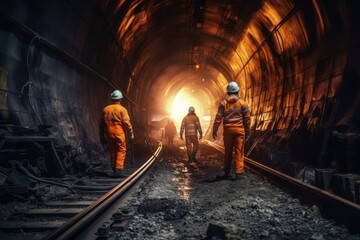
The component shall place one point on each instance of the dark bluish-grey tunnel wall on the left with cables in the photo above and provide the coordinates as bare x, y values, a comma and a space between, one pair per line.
59, 63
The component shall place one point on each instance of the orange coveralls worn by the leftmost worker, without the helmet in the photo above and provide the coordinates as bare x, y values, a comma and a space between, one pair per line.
117, 122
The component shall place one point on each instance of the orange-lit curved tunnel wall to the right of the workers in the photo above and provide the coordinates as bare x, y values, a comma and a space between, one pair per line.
303, 88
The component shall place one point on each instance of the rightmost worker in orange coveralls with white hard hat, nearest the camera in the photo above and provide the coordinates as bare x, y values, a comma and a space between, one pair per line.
234, 113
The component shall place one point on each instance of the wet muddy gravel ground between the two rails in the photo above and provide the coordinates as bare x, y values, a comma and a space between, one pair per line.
181, 201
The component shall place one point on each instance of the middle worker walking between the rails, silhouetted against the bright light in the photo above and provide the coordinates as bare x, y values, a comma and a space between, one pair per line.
191, 125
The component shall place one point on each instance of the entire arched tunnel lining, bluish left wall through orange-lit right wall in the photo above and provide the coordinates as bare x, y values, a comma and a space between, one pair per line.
296, 63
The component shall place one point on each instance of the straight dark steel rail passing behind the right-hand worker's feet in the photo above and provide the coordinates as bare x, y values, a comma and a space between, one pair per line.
331, 205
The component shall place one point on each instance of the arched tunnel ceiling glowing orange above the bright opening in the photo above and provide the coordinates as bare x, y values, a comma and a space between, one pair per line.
168, 40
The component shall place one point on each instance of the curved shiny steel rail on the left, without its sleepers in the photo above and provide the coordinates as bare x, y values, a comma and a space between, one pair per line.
80, 222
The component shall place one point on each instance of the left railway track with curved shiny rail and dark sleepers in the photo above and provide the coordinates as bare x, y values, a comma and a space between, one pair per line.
101, 209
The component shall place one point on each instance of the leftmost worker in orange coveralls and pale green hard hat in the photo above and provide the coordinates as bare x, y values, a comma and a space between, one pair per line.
115, 124
